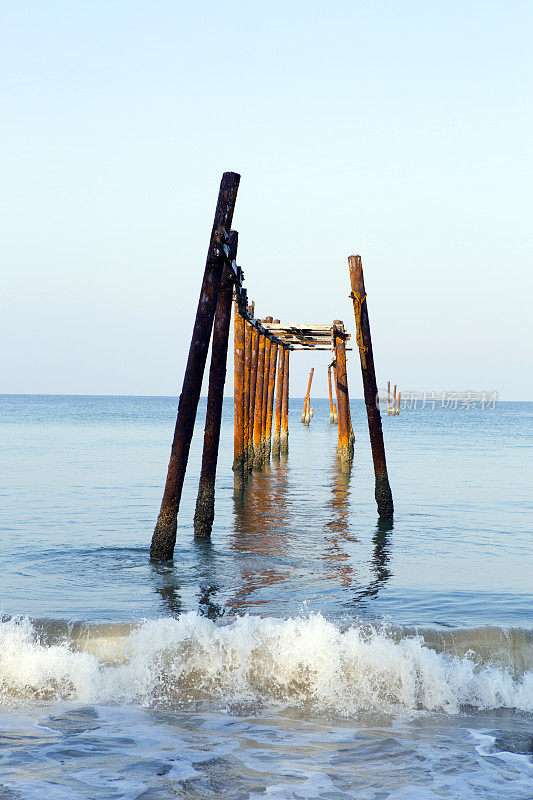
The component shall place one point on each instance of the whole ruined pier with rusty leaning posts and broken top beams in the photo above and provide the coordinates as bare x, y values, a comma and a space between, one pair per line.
261, 357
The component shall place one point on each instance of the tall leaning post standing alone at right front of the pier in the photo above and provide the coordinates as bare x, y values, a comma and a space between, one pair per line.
383, 491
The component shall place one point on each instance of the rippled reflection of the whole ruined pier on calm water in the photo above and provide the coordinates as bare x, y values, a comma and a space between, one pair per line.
290, 549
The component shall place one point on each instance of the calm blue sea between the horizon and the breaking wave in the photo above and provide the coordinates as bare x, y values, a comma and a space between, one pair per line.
304, 538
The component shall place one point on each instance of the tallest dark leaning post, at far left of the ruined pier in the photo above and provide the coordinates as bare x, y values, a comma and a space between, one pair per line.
164, 537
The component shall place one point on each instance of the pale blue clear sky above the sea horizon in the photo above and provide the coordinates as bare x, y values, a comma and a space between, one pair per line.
398, 130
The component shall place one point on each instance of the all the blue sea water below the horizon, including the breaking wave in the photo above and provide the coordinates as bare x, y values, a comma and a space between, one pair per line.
306, 651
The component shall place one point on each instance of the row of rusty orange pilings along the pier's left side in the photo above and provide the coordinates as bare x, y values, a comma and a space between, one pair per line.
261, 398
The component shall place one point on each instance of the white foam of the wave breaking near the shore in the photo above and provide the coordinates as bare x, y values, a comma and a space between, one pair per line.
302, 662
